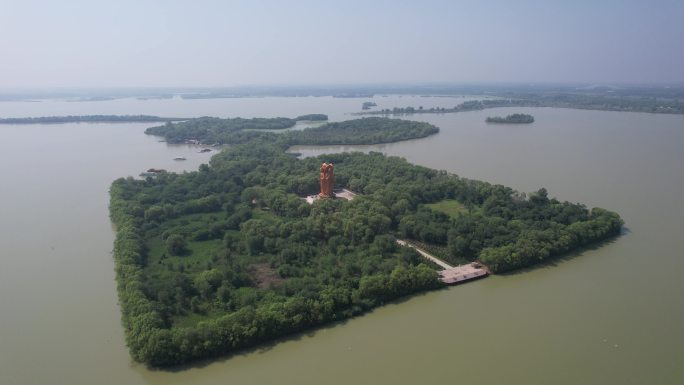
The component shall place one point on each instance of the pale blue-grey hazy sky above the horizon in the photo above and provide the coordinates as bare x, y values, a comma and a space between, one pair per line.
225, 43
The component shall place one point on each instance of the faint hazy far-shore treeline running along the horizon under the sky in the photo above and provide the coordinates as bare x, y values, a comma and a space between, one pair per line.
655, 93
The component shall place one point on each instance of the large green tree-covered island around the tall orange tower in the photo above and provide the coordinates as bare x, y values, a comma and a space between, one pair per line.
233, 254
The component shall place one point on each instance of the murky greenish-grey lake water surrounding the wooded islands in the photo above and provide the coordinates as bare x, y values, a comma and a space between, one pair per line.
608, 315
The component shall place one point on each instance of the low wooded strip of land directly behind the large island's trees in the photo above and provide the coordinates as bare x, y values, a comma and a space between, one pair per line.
372, 130
